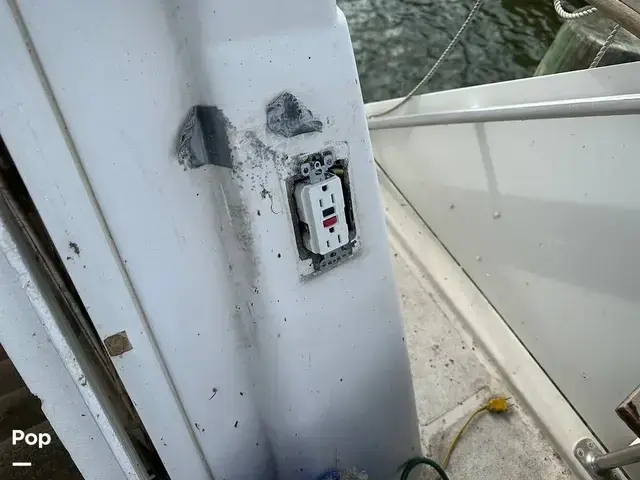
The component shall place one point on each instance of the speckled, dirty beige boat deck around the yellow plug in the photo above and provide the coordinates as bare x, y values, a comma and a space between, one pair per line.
453, 376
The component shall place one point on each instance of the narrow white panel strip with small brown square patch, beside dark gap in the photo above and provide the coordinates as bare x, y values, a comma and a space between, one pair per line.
36, 142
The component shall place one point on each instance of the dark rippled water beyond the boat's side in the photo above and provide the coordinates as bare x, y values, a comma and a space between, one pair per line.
397, 41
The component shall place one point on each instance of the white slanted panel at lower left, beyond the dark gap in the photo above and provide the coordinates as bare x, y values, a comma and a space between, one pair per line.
40, 344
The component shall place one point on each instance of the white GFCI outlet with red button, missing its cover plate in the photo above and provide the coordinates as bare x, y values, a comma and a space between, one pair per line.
321, 208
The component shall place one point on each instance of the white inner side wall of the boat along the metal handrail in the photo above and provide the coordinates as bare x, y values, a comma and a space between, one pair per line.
544, 216
